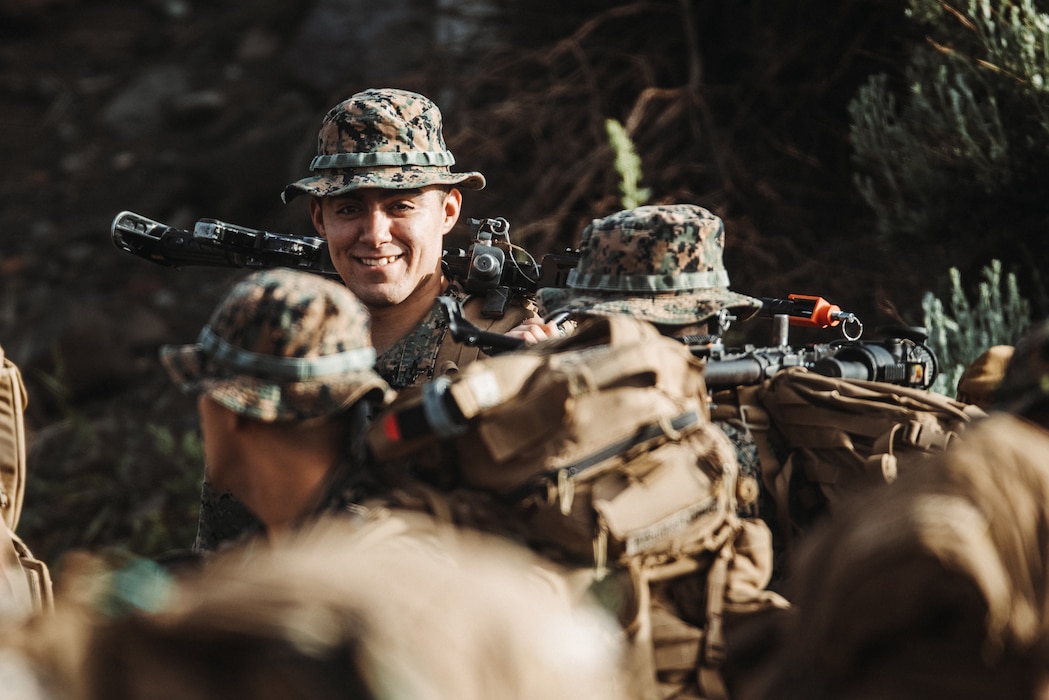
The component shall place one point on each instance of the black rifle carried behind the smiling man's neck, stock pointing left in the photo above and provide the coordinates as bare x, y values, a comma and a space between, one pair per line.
491, 265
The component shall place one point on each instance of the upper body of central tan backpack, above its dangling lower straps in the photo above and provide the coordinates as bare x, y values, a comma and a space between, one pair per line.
576, 433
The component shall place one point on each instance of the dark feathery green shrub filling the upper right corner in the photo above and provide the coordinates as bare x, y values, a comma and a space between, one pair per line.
960, 142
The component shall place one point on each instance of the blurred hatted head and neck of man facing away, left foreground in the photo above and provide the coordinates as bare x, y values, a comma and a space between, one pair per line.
285, 384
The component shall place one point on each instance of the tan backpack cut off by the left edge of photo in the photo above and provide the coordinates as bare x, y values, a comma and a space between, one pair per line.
28, 582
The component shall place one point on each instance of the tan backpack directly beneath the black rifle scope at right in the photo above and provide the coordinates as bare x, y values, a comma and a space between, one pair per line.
822, 439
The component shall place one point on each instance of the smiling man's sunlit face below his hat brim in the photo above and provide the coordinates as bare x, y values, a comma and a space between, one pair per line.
388, 244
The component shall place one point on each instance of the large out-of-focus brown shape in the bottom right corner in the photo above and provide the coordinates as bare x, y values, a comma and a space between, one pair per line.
933, 587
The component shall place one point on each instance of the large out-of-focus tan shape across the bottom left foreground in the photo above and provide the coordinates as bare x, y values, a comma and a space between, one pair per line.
399, 608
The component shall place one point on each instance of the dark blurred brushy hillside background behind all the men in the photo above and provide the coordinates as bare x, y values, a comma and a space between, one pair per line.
876, 153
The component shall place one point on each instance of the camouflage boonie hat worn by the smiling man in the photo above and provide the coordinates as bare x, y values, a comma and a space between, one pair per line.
382, 138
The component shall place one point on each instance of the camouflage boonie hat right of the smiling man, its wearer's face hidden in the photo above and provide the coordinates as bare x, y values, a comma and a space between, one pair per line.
660, 264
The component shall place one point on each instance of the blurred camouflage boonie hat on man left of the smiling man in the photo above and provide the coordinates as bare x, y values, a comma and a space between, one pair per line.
283, 346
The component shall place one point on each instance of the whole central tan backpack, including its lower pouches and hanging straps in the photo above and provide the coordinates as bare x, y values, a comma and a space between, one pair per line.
597, 451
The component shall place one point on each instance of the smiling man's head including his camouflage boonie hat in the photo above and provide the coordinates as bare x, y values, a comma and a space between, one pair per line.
383, 194
